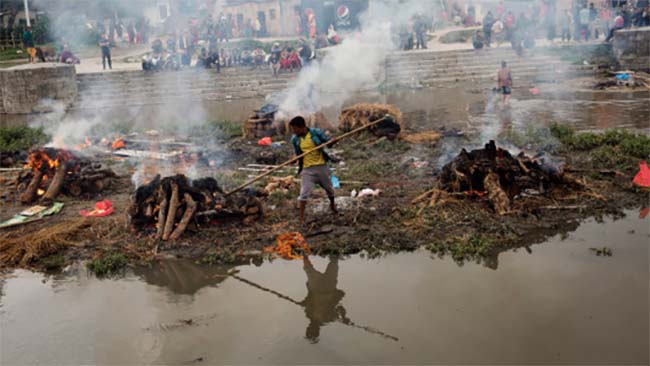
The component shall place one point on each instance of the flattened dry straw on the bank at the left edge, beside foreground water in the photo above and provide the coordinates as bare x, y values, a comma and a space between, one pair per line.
25, 248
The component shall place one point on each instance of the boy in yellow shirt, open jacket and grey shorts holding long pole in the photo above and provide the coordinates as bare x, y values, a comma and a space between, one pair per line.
313, 167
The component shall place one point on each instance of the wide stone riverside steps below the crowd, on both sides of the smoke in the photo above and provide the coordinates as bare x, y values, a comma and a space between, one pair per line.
425, 68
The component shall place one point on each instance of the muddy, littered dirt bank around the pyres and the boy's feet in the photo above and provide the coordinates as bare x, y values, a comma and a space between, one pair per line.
465, 228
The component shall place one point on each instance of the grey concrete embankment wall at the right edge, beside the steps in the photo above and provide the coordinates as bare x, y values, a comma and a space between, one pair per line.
632, 48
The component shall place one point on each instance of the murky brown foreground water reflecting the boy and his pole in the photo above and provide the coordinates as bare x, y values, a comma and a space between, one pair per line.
561, 303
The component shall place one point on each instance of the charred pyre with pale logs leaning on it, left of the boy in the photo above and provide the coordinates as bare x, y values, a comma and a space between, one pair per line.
175, 204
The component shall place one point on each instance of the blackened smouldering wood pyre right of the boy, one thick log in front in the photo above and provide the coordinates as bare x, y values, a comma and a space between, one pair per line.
492, 173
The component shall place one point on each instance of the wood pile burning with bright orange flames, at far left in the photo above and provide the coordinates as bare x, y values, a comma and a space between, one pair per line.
57, 171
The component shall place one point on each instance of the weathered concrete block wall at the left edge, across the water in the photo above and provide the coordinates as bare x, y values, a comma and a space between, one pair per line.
37, 88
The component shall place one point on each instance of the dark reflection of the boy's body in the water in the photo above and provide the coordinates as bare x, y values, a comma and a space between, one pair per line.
322, 301
